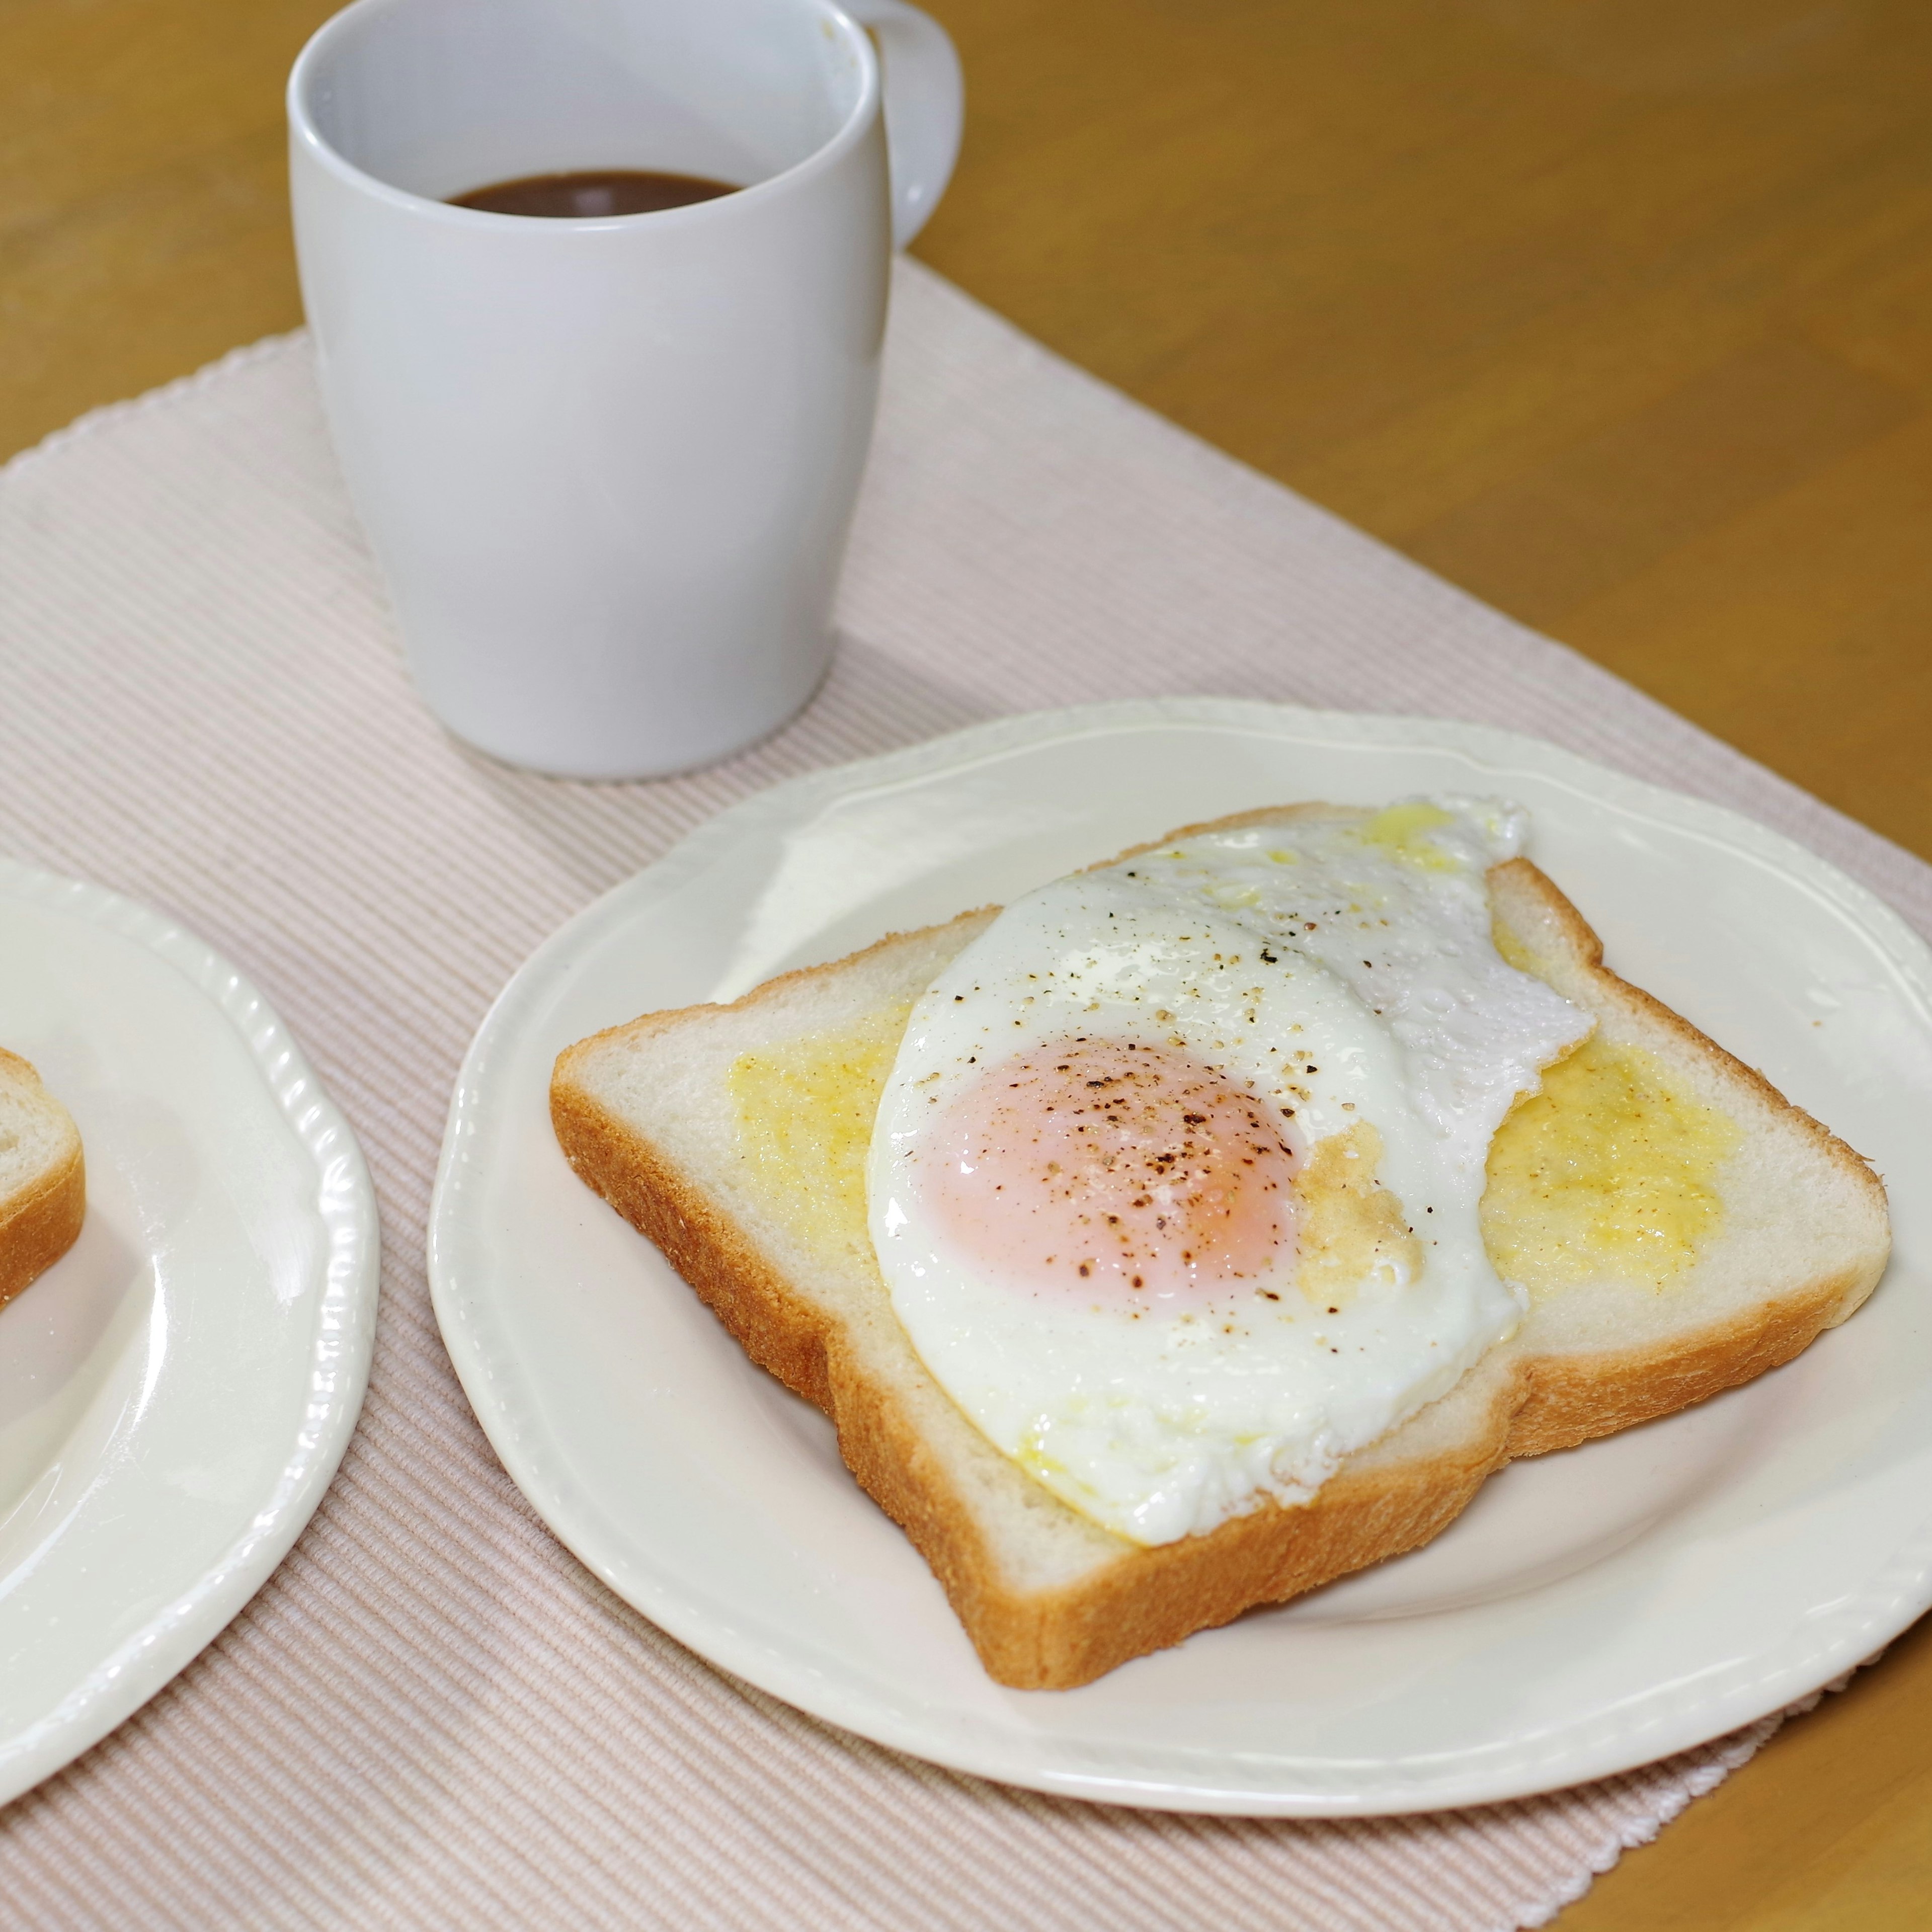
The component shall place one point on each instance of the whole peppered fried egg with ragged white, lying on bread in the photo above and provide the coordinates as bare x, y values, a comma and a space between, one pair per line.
1176, 1178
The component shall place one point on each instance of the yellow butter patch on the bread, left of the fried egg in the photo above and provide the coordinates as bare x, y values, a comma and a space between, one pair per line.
805, 1120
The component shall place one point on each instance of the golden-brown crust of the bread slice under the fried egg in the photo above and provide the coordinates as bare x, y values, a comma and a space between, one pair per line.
1378, 1506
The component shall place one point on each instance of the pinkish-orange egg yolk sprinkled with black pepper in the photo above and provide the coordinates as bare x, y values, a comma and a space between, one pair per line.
1110, 1168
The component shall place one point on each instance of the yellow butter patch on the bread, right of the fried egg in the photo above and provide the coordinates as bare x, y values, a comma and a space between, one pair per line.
1610, 1174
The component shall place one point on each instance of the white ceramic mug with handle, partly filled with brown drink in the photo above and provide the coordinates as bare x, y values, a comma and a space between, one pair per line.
608, 467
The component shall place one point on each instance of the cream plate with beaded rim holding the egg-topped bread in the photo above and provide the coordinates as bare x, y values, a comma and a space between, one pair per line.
1591, 1612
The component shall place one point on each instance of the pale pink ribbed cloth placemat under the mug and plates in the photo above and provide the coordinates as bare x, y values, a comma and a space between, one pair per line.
434, 1717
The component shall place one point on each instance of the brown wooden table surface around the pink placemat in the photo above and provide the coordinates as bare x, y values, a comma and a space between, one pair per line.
1614, 312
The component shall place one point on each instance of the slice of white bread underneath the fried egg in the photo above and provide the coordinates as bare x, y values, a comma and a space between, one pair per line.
654, 1118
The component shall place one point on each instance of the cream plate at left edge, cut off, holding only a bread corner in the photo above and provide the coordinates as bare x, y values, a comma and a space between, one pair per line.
179, 1388
